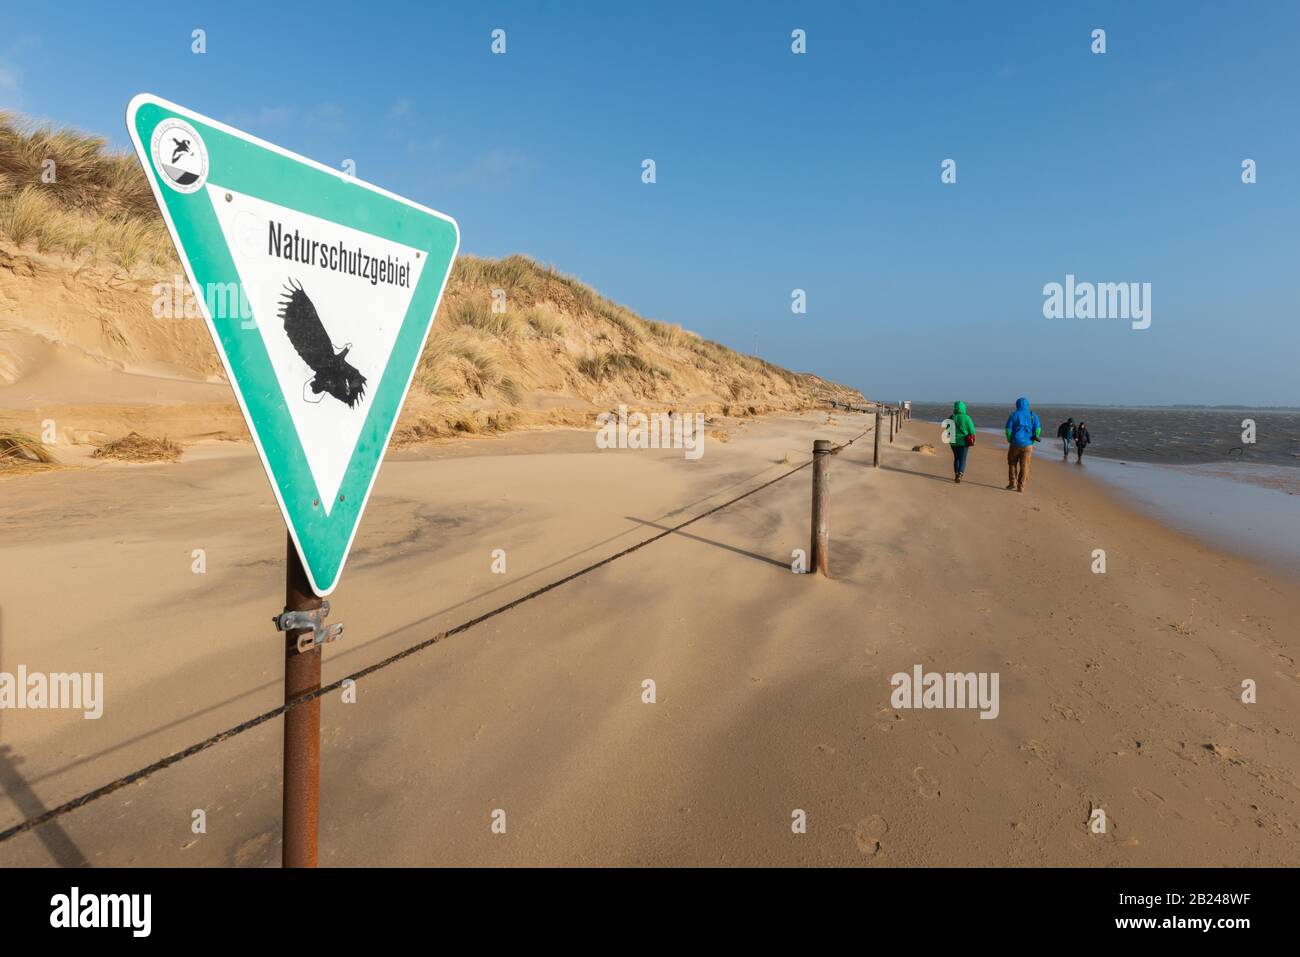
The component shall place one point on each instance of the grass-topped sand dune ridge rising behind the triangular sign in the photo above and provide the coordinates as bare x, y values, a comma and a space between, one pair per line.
101, 335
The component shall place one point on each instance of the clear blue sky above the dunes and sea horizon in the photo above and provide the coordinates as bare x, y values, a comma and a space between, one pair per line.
779, 172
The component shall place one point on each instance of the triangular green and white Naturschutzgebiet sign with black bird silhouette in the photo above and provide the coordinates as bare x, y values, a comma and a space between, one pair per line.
319, 292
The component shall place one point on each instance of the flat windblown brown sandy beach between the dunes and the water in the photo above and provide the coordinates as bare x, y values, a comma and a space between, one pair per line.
773, 691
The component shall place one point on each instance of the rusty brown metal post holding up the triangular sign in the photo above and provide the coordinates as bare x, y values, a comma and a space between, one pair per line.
302, 725
